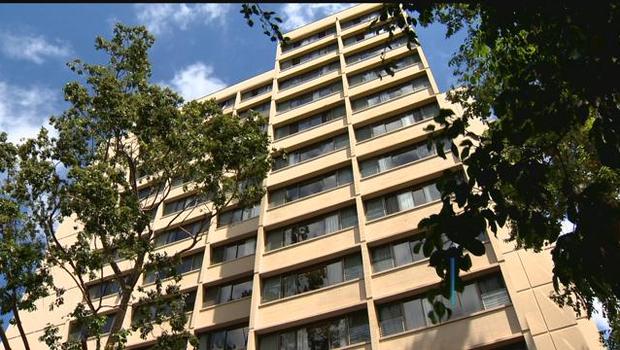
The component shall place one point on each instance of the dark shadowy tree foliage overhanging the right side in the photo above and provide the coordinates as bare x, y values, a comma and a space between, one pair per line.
542, 77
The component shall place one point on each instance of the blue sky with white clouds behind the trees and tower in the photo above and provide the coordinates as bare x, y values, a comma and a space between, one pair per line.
200, 48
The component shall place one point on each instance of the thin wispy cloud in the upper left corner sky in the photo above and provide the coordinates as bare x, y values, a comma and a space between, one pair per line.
32, 47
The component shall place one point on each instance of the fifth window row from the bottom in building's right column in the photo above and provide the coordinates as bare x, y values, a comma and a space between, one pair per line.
388, 125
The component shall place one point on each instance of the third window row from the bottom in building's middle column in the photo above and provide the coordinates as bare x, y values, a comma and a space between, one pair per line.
318, 226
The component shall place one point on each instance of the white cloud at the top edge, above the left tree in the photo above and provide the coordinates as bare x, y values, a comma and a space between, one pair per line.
160, 18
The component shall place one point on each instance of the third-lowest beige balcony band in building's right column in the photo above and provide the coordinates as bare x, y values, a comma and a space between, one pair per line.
399, 222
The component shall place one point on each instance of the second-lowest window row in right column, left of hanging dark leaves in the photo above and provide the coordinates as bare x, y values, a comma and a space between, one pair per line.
395, 254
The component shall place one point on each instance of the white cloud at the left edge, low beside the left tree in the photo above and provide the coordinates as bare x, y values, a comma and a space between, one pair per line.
24, 110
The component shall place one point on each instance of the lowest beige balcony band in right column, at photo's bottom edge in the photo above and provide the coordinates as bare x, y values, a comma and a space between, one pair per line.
481, 328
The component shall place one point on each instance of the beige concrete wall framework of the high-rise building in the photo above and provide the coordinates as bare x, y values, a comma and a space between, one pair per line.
530, 318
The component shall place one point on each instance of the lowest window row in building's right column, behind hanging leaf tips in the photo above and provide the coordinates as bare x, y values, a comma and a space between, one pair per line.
397, 317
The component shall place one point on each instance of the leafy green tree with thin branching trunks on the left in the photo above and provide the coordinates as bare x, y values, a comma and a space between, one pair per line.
120, 132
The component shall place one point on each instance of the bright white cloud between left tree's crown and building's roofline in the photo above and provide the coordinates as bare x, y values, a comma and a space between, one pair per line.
195, 80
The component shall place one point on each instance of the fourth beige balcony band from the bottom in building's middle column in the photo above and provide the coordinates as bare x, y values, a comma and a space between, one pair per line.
288, 174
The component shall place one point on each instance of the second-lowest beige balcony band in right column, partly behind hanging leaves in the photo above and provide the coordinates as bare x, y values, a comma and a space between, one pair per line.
418, 274
